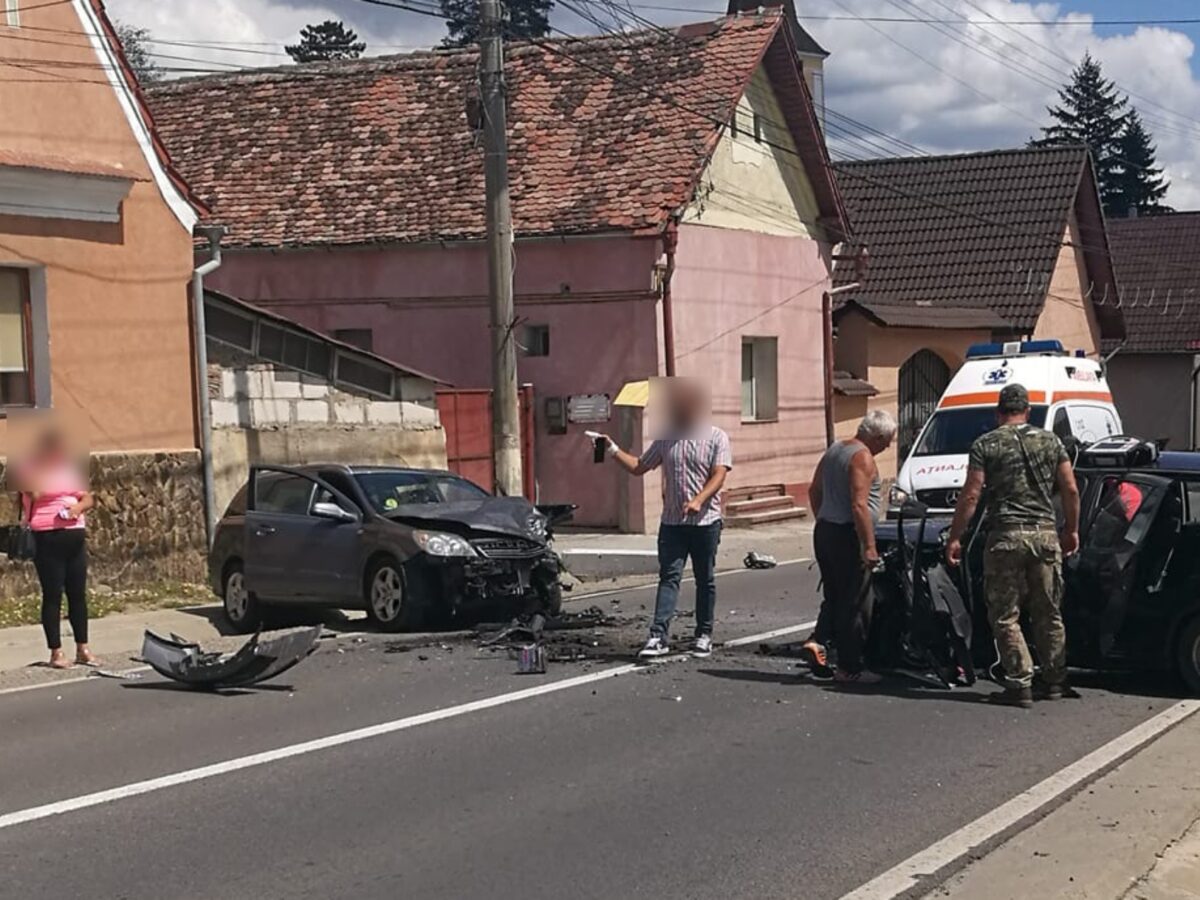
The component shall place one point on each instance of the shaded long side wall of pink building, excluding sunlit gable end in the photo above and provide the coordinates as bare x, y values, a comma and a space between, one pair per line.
428, 309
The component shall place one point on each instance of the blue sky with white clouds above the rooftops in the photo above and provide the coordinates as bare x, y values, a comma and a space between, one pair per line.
965, 83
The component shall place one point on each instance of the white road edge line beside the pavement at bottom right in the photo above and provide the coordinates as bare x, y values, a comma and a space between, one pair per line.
910, 874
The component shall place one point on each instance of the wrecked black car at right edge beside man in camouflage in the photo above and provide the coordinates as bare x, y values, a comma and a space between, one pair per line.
1133, 591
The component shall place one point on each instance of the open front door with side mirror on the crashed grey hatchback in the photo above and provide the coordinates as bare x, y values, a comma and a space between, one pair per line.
302, 537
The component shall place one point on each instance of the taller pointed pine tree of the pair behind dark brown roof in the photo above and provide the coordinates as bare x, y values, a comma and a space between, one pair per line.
1091, 112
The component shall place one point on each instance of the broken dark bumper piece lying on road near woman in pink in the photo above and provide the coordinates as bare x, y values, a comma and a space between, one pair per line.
257, 662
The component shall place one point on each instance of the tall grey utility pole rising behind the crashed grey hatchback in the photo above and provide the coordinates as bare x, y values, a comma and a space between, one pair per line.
506, 404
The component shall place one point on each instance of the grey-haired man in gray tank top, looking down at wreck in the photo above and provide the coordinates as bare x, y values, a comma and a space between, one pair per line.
845, 497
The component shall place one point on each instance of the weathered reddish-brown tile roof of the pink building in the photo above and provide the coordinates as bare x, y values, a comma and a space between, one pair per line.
607, 134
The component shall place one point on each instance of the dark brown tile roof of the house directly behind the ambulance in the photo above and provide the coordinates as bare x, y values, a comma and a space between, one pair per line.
975, 231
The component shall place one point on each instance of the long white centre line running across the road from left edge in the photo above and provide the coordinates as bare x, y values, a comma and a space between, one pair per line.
310, 747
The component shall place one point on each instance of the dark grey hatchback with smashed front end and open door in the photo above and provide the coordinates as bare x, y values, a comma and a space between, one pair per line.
411, 547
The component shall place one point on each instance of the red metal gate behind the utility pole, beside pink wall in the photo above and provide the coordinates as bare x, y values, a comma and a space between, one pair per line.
467, 419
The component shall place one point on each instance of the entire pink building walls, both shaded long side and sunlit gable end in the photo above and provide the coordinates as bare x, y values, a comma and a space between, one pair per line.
428, 309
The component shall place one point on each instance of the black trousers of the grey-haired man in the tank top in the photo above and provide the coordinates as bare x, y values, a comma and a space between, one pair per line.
847, 608
